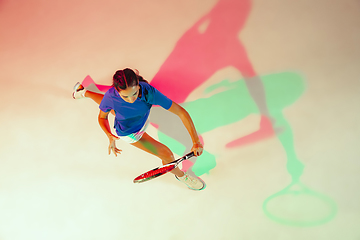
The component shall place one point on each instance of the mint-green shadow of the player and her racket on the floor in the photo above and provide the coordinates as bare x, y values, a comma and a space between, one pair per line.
303, 206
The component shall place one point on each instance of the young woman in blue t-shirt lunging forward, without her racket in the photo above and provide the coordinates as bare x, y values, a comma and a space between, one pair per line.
130, 99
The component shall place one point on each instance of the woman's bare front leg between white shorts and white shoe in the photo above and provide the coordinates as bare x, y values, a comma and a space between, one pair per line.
150, 145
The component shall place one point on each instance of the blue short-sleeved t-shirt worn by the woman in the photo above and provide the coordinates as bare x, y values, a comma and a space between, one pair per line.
131, 117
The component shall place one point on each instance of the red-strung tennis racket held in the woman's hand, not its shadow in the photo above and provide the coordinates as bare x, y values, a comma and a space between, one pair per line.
157, 172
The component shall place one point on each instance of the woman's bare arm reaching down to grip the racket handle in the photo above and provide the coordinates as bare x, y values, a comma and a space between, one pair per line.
188, 123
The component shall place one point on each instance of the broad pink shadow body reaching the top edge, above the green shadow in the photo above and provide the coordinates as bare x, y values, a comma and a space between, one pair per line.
209, 45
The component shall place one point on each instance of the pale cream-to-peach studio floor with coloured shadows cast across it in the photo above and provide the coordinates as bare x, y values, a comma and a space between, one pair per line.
58, 182
